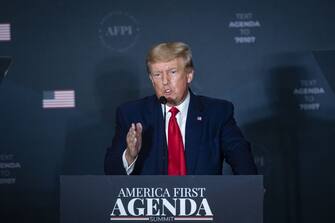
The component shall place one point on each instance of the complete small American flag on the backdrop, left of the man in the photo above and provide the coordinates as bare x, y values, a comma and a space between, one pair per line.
59, 99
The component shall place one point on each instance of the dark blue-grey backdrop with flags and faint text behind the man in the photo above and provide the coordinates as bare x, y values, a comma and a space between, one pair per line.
274, 59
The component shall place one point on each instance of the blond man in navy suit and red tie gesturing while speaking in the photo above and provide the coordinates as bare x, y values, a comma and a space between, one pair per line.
190, 135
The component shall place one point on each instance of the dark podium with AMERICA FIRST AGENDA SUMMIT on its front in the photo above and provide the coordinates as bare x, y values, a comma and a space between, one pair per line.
103, 199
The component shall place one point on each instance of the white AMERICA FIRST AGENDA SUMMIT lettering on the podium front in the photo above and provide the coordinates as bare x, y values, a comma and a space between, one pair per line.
162, 204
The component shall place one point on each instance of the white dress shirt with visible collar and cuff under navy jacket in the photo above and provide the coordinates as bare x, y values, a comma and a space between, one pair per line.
181, 117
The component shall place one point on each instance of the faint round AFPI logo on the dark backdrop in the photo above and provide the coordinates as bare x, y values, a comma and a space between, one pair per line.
118, 31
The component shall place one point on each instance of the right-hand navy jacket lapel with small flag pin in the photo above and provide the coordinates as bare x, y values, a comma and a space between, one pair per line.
193, 132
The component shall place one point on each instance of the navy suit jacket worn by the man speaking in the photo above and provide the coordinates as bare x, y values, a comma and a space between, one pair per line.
211, 135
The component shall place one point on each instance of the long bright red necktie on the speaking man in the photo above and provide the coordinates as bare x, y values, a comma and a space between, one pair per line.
176, 163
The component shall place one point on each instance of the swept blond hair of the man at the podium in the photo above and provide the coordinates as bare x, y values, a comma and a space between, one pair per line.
164, 52
